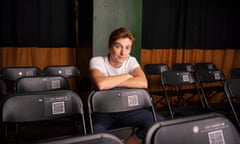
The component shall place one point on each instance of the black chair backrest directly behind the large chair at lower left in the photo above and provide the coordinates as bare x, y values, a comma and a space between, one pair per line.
40, 83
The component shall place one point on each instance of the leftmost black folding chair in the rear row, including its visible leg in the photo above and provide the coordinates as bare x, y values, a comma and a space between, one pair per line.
11, 74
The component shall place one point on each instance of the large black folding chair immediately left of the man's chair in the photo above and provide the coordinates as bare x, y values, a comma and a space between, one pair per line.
41, 115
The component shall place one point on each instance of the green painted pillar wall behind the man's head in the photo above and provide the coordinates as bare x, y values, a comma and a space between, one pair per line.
111, 14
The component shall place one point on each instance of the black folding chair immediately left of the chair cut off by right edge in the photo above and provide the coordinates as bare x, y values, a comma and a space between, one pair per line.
211, 83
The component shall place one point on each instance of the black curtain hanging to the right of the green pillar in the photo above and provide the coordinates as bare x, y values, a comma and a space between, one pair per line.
203, 24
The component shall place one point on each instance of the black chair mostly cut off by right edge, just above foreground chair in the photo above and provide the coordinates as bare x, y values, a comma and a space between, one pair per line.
232, 91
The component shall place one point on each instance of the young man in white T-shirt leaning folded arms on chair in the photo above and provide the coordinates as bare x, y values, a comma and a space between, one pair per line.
119, 69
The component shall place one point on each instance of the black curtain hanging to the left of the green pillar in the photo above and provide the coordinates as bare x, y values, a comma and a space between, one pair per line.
37, 23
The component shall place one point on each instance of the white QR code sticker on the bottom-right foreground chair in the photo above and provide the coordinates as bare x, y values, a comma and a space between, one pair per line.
216, 137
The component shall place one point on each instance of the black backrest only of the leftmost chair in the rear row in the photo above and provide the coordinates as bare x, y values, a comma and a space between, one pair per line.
13, 73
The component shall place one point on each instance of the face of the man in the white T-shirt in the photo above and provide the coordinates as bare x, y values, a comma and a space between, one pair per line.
120, 50
